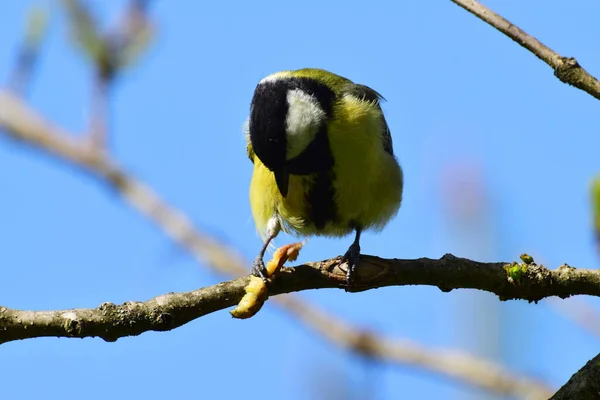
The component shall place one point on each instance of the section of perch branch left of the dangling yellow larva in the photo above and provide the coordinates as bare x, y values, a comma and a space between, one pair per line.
111, 322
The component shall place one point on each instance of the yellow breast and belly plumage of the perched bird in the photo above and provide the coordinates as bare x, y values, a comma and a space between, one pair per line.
367, 181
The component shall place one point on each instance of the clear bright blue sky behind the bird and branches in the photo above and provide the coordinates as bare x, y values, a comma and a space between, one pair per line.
476, 120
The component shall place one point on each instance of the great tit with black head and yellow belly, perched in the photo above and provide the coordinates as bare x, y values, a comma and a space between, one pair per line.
323, 160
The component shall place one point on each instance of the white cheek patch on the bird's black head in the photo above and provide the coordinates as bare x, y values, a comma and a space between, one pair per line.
304, 117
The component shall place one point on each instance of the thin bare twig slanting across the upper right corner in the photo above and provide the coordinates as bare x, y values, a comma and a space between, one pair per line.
567, 69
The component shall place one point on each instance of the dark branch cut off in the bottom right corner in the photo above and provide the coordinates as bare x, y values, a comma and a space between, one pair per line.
584, 384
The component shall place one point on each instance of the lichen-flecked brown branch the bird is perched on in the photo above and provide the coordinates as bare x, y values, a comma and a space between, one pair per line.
172, 310
